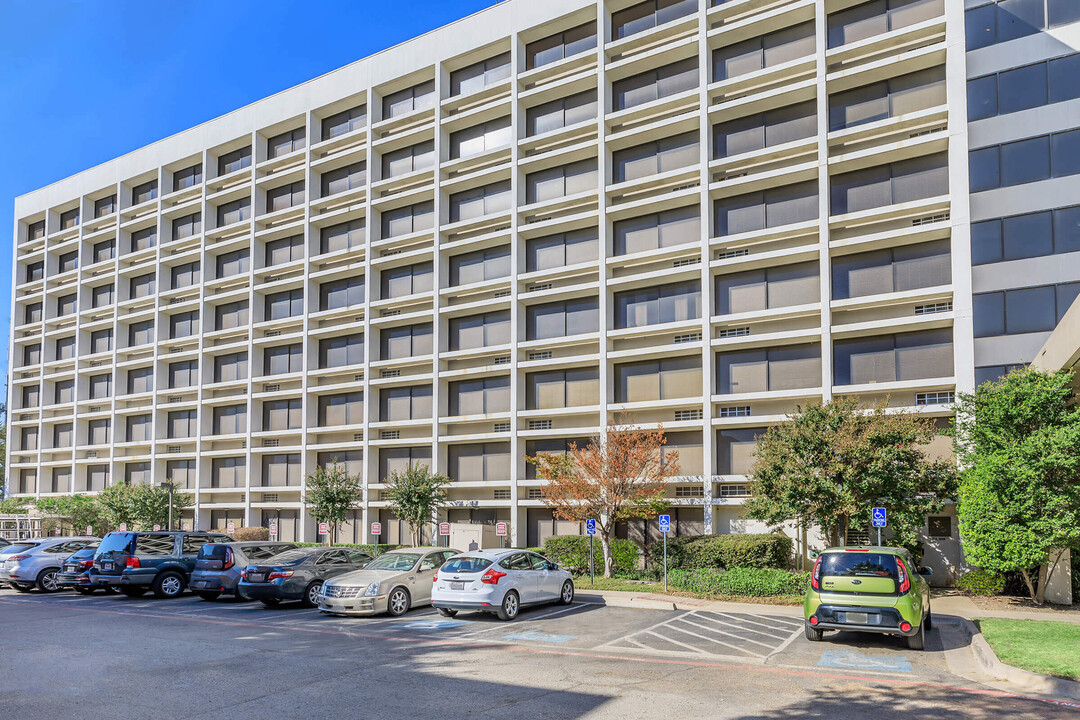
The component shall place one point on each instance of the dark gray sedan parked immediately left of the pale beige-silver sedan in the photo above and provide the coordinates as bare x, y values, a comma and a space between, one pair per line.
299, 575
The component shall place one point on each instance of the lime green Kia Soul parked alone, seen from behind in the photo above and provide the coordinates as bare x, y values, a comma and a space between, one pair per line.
869, 590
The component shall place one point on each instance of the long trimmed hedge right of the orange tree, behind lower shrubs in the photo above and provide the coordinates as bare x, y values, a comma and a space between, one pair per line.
720, 552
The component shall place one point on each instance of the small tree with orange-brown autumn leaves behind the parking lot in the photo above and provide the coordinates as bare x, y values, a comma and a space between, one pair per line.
618, 477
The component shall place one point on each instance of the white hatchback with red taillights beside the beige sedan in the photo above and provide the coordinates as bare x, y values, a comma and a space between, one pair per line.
499, 581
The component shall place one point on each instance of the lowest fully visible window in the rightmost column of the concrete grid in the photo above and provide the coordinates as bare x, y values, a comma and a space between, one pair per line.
894, 358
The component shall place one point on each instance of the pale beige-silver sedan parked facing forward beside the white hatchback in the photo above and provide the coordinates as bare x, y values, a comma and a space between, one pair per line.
394, 583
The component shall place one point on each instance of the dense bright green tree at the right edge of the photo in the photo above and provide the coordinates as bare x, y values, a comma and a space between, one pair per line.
1019, 502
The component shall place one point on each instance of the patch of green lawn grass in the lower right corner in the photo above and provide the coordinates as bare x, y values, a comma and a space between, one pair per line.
1047, 647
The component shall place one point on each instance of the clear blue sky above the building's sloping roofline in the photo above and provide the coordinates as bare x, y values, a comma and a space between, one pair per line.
83, 83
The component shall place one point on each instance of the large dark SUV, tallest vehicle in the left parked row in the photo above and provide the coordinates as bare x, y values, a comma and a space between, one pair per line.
139, 562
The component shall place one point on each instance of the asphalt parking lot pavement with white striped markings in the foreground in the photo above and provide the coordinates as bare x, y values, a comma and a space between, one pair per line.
111, 657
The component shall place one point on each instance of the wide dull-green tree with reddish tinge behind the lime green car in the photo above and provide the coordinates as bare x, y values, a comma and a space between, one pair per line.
832, 464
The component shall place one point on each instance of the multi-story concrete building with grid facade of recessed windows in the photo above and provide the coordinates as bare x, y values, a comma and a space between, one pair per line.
489, 241
